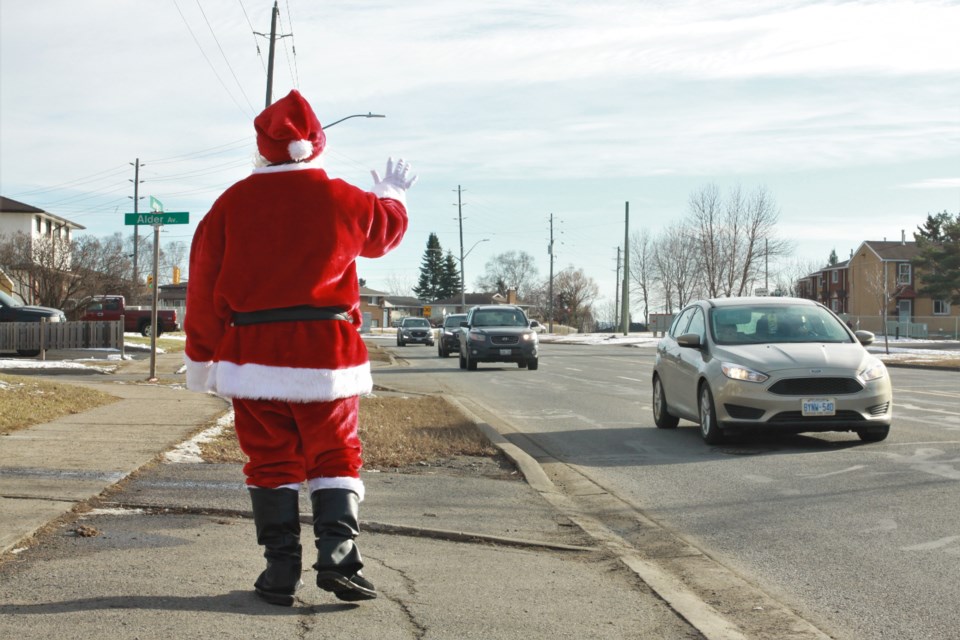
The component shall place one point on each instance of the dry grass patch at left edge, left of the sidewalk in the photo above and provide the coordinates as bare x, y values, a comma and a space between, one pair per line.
26, 401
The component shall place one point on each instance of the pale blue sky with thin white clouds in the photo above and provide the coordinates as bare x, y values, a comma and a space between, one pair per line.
848, 113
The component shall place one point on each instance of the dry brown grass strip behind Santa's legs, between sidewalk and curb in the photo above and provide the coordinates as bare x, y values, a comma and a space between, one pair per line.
396, 432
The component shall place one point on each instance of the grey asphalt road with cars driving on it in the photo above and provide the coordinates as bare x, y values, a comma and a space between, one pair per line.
861, 540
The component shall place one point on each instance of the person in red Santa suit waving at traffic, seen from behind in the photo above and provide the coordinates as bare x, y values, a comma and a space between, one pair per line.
273, 301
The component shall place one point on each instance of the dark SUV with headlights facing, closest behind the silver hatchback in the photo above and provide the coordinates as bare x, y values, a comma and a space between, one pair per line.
498, 333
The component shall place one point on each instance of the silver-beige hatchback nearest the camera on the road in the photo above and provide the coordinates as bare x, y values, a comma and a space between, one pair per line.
769, 364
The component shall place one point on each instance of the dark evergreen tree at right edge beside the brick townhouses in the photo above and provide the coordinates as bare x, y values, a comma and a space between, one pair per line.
939, 260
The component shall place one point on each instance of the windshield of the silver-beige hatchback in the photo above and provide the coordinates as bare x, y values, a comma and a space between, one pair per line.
776, 323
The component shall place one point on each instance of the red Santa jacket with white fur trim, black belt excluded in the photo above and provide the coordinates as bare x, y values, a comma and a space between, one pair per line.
286, 236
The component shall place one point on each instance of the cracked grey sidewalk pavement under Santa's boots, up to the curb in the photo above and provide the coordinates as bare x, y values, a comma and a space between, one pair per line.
169, 551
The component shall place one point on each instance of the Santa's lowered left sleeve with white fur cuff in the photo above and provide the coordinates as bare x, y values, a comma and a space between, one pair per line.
202, 325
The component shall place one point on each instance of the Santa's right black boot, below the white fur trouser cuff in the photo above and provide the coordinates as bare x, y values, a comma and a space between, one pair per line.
335, 523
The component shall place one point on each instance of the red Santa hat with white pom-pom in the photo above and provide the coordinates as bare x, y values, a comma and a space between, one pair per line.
288, 130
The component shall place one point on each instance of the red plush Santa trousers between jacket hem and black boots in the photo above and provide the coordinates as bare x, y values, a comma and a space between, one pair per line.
290, 442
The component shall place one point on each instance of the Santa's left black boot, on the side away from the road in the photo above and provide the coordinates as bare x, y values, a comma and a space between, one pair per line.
276, 512
